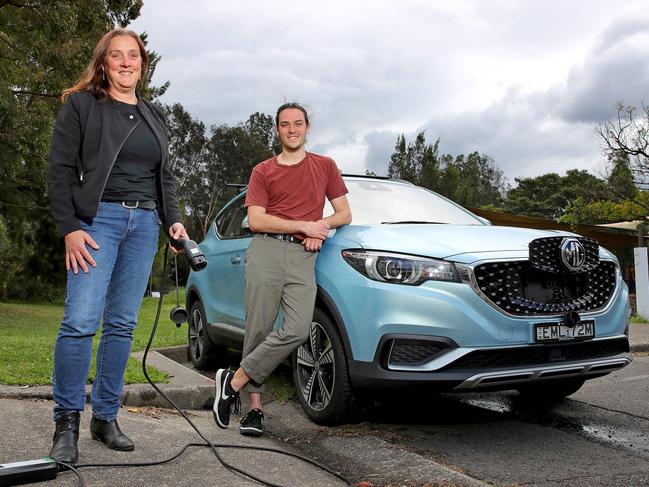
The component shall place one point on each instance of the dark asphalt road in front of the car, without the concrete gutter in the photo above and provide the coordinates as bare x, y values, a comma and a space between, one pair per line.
597, 437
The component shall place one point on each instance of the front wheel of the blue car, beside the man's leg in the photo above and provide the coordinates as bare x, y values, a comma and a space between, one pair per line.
321, 374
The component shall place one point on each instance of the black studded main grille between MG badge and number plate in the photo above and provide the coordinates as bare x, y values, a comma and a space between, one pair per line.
519, 288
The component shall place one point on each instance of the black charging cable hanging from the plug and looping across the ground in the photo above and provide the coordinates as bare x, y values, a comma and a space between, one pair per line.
208, 443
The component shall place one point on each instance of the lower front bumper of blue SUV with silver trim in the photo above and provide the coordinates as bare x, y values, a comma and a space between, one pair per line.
497, 368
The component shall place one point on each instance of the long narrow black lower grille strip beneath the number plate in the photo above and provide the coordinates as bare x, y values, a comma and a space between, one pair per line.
540, 354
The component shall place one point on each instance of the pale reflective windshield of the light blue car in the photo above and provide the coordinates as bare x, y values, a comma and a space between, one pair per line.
375, 201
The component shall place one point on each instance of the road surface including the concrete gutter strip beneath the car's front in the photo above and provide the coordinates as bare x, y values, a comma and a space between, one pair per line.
597, 437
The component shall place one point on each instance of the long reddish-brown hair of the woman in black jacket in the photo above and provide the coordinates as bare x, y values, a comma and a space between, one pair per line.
94, 78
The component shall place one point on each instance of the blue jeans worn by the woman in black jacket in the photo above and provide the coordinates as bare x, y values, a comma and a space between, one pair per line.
110, 293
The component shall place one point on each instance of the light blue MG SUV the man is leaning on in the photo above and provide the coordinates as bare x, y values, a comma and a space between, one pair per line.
418, 291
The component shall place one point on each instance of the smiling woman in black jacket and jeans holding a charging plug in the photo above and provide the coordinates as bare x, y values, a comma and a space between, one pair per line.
110, 188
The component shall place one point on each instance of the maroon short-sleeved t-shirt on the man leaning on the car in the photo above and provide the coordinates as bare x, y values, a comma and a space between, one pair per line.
295, 192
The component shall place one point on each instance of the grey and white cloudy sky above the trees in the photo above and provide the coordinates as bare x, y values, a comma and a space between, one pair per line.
522, 81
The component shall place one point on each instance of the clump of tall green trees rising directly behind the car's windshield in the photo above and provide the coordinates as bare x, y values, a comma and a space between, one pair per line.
472, 180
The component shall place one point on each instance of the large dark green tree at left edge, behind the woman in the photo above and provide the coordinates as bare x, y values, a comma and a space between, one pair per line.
44, 46
